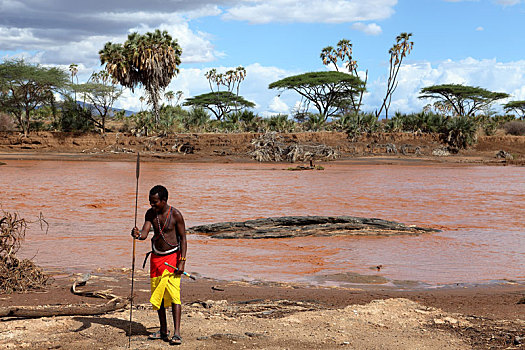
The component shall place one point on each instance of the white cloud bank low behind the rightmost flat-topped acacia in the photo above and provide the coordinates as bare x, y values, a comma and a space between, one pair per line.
487, 73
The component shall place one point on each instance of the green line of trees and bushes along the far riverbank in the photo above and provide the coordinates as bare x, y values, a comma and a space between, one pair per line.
35, 97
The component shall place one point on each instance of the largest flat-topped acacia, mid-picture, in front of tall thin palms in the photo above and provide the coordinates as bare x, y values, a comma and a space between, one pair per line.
325, 90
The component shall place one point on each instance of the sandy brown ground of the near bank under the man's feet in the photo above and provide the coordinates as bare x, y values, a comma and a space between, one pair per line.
242, 315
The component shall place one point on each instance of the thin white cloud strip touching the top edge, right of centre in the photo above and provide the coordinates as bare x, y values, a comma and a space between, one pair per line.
310, 11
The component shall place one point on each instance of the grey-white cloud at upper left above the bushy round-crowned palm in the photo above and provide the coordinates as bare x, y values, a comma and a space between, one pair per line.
62, 31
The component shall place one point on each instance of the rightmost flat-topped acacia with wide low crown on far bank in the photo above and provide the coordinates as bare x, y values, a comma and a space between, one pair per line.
465, 100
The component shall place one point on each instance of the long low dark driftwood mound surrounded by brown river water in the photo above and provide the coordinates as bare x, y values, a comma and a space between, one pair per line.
301, 226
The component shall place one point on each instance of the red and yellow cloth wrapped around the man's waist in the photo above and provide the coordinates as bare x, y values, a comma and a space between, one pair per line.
164, 284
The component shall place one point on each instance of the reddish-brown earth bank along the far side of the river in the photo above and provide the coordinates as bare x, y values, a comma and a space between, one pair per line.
236, 147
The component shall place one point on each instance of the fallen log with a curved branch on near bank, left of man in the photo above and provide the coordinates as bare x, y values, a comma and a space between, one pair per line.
114, 303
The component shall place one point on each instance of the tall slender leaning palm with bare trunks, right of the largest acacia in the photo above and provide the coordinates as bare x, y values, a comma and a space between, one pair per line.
400, 50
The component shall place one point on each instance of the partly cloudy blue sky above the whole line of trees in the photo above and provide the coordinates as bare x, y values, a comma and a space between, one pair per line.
472, 42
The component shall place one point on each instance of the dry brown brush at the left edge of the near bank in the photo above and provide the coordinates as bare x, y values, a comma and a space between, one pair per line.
17, 275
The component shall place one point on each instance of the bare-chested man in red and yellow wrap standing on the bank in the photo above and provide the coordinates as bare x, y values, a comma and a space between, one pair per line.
168, 245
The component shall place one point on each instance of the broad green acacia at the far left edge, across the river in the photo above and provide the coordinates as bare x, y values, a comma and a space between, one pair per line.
24, 87
